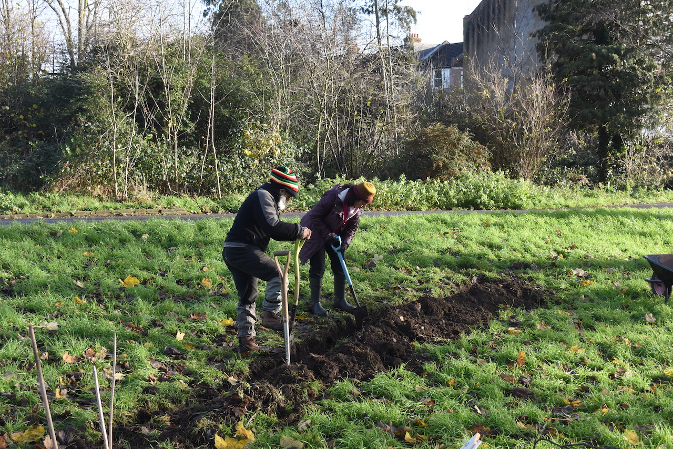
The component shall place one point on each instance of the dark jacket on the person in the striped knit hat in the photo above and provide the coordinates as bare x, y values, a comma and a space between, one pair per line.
258, 220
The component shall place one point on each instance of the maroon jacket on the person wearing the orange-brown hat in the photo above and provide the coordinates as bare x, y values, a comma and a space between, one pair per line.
324, 219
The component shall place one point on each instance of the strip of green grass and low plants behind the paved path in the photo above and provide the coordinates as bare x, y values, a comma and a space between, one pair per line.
471, 191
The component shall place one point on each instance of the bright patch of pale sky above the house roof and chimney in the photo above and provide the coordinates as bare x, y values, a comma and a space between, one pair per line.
440, 20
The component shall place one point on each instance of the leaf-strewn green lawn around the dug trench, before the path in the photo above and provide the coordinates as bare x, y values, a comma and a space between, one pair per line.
606, 350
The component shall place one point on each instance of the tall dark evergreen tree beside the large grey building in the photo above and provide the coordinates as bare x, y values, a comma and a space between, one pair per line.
613, 58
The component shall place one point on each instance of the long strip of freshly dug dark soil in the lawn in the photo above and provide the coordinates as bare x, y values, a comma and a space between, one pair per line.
327, 350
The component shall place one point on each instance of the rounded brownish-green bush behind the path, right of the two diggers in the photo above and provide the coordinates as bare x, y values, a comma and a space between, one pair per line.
443, 152
